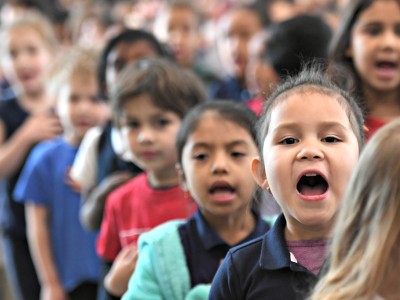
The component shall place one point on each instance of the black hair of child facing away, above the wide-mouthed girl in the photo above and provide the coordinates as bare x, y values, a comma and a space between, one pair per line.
293, 42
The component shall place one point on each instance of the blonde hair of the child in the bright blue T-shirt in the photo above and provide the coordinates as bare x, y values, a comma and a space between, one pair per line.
77, 61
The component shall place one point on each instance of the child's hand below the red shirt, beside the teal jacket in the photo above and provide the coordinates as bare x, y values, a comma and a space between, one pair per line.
116, 281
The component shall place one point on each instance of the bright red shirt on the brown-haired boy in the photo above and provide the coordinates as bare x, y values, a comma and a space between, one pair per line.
136, 207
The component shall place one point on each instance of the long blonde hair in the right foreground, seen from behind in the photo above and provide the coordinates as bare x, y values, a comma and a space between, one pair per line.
366, 239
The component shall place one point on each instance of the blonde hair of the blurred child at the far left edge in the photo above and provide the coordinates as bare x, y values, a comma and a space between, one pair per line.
33, 20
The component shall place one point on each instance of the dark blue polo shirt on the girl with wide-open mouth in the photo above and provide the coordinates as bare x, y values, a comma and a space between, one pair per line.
262, 269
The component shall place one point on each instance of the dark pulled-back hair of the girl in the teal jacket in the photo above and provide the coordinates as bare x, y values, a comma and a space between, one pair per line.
235, 112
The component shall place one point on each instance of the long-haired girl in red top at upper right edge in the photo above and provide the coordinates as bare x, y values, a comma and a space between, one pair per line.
367, 44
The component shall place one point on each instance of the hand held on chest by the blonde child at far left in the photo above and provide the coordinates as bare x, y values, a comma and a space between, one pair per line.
40, 127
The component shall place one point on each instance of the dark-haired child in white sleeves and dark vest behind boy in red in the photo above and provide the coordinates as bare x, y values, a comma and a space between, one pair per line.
101, 165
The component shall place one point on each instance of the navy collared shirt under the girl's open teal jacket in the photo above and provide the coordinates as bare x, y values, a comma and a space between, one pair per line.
205, 249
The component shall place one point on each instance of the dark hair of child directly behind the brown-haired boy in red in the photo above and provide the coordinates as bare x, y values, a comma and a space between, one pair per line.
127, 36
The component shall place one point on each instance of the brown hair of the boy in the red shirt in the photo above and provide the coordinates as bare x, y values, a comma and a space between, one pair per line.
169, 86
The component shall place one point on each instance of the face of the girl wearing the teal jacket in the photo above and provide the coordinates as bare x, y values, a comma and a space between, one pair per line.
216, 163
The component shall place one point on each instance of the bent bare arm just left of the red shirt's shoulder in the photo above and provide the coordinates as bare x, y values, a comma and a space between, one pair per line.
91, 213
